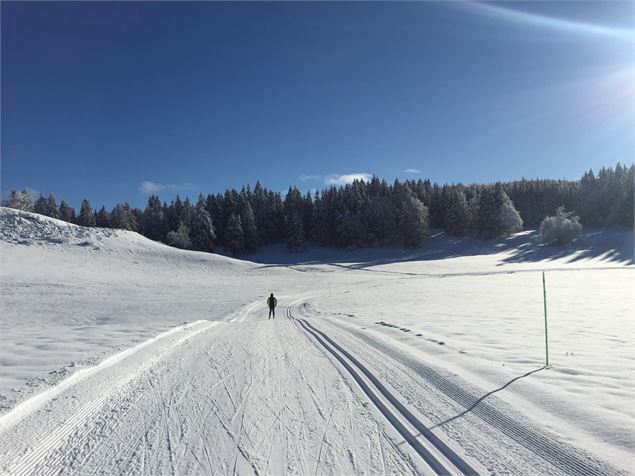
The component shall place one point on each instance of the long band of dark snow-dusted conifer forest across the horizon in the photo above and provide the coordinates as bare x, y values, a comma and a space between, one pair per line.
360, 214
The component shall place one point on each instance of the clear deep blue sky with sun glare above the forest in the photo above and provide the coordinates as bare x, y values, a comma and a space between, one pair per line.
115, 100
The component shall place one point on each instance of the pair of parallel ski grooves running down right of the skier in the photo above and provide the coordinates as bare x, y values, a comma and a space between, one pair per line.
346, 359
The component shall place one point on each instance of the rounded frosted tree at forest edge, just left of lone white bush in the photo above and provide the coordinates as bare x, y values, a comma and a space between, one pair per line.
497, 215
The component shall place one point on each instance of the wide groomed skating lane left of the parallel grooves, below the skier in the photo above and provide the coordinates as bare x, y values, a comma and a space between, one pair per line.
252, 396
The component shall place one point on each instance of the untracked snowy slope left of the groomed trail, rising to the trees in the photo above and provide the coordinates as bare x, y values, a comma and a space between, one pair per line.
71, 295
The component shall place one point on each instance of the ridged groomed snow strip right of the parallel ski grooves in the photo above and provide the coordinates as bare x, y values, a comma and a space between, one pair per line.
489, 431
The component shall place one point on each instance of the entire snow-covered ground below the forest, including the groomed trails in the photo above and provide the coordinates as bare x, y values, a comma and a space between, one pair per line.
122, 355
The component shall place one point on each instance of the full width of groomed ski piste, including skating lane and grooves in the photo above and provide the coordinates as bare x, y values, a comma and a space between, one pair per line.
300, 394
